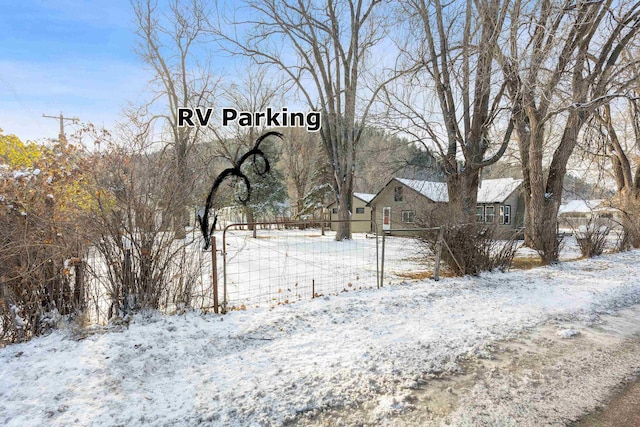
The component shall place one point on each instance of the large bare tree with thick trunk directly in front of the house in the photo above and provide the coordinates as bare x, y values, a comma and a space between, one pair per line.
452, 100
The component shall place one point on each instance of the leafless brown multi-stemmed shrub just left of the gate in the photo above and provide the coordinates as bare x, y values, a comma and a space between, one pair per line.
141, 262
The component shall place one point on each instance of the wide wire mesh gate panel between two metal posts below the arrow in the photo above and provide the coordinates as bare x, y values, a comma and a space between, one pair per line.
291, 261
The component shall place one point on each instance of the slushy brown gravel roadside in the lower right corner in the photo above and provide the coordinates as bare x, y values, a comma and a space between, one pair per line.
563, 372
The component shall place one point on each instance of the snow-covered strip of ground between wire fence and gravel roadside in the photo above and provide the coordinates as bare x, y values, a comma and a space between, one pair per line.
290, 363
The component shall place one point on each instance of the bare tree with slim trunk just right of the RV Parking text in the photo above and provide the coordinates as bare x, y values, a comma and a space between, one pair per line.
322, 47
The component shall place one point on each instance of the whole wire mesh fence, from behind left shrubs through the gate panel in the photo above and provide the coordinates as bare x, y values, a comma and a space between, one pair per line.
269, 264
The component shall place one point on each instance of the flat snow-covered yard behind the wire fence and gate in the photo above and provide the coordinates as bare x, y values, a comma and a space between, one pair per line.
279, 266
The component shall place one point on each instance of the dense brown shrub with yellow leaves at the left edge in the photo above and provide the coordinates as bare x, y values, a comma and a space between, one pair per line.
41, 206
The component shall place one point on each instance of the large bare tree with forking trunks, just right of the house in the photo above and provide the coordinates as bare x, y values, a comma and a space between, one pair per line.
562, 63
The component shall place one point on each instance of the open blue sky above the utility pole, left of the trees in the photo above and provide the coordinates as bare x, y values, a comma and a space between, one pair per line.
72, 56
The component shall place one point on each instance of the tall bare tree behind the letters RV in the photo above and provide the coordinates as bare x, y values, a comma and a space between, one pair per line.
168, 41
